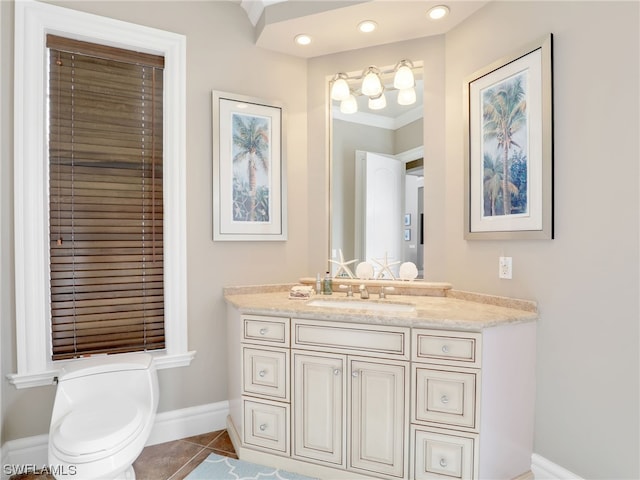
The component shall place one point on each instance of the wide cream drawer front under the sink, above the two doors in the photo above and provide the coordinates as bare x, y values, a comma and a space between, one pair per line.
352, 338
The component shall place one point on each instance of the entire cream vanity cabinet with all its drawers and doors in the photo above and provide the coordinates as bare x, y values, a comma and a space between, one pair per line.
383, 397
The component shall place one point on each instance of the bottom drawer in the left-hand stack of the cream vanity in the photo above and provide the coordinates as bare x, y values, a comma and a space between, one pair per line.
266, 426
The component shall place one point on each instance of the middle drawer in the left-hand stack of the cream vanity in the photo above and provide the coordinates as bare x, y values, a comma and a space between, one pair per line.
266, 372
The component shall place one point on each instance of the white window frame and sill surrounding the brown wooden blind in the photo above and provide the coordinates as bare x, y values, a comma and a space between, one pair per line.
34, 328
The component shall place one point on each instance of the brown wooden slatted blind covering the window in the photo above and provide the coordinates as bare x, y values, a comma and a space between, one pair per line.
105, 199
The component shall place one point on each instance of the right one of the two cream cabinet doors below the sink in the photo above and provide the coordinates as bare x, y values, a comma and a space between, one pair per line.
379, 416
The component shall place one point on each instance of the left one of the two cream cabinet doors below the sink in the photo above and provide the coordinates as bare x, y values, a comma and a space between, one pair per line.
319, 407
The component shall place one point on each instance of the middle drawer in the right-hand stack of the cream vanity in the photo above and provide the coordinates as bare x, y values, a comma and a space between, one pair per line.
445, 396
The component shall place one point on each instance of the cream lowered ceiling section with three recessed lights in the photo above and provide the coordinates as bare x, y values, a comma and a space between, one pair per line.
332, 25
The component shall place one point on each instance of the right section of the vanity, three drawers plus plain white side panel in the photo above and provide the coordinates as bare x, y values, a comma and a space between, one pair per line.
473, 399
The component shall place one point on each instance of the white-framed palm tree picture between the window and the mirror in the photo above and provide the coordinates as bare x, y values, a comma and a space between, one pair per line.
249, 198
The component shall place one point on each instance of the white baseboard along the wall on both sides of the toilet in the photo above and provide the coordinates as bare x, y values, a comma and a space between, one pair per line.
168, 426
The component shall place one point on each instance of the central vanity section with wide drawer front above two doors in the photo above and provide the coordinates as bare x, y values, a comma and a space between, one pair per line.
350, 400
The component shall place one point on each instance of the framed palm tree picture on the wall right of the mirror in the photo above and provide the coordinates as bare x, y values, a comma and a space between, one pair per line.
509, 147
